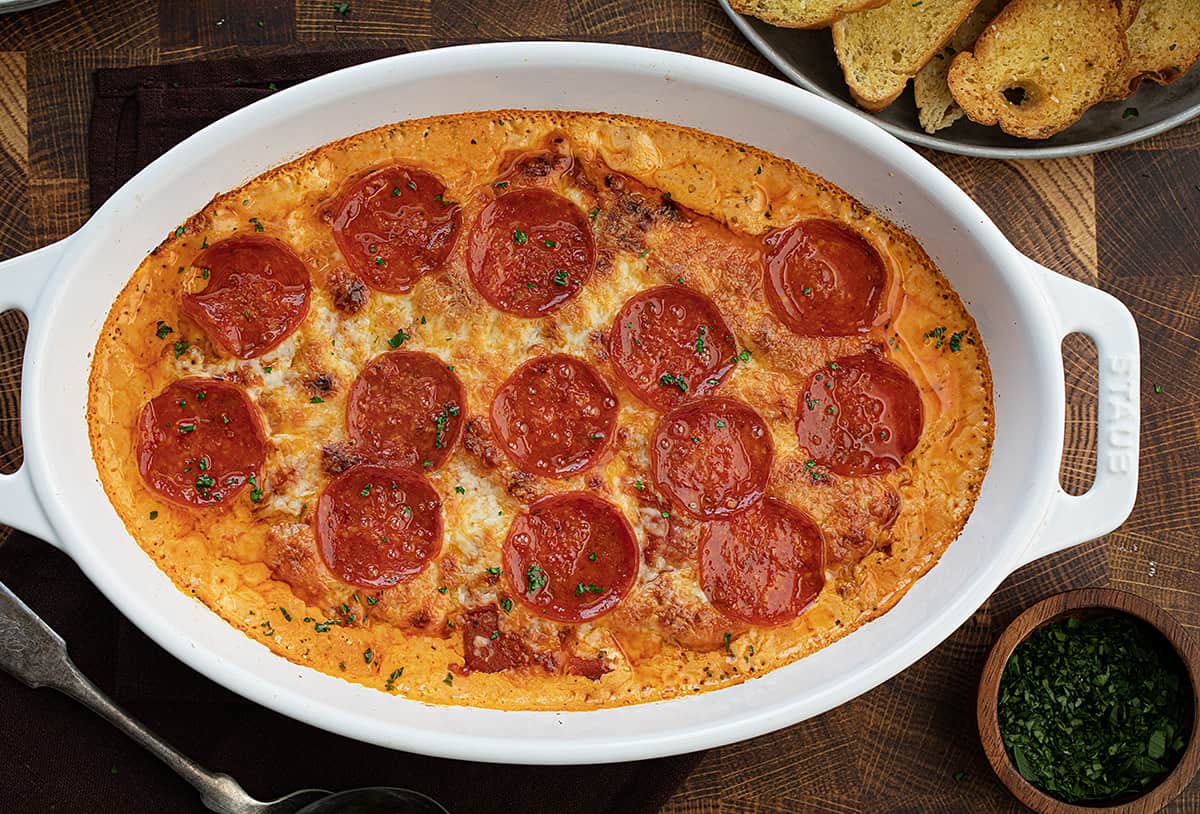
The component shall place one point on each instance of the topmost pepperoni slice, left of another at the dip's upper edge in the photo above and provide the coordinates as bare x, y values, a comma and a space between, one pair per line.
394, 226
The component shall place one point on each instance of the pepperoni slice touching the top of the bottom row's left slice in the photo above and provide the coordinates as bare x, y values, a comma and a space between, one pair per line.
407, 408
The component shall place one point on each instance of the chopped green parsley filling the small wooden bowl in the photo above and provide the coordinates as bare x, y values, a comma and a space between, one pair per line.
1090, 710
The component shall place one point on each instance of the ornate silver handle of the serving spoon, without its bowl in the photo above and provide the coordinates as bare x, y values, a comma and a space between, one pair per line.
33, 654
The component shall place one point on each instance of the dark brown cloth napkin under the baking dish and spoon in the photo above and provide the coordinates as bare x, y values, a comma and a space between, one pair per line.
62, 758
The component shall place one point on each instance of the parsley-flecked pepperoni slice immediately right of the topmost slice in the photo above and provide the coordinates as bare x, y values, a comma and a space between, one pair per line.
531, 252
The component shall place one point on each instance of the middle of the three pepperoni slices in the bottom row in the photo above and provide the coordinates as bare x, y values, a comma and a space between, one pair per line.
571, 558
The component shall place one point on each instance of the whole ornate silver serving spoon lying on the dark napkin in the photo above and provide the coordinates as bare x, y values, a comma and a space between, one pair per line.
33, 654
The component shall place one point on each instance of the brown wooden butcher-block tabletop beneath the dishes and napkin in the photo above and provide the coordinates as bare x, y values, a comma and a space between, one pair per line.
1126, 222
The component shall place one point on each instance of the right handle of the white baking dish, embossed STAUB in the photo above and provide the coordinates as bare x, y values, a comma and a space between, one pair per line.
1072, 519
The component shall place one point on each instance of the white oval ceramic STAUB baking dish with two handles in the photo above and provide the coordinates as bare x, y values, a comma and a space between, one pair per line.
1022, 309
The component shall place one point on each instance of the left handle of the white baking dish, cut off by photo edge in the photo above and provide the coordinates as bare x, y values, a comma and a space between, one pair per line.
22, 282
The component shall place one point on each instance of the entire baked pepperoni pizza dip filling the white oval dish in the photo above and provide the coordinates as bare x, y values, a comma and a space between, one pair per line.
541, 411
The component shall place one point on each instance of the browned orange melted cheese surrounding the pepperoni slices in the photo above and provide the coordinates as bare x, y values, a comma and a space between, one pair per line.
668, 205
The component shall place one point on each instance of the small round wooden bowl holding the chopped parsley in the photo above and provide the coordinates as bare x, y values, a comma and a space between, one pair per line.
1089, 603
